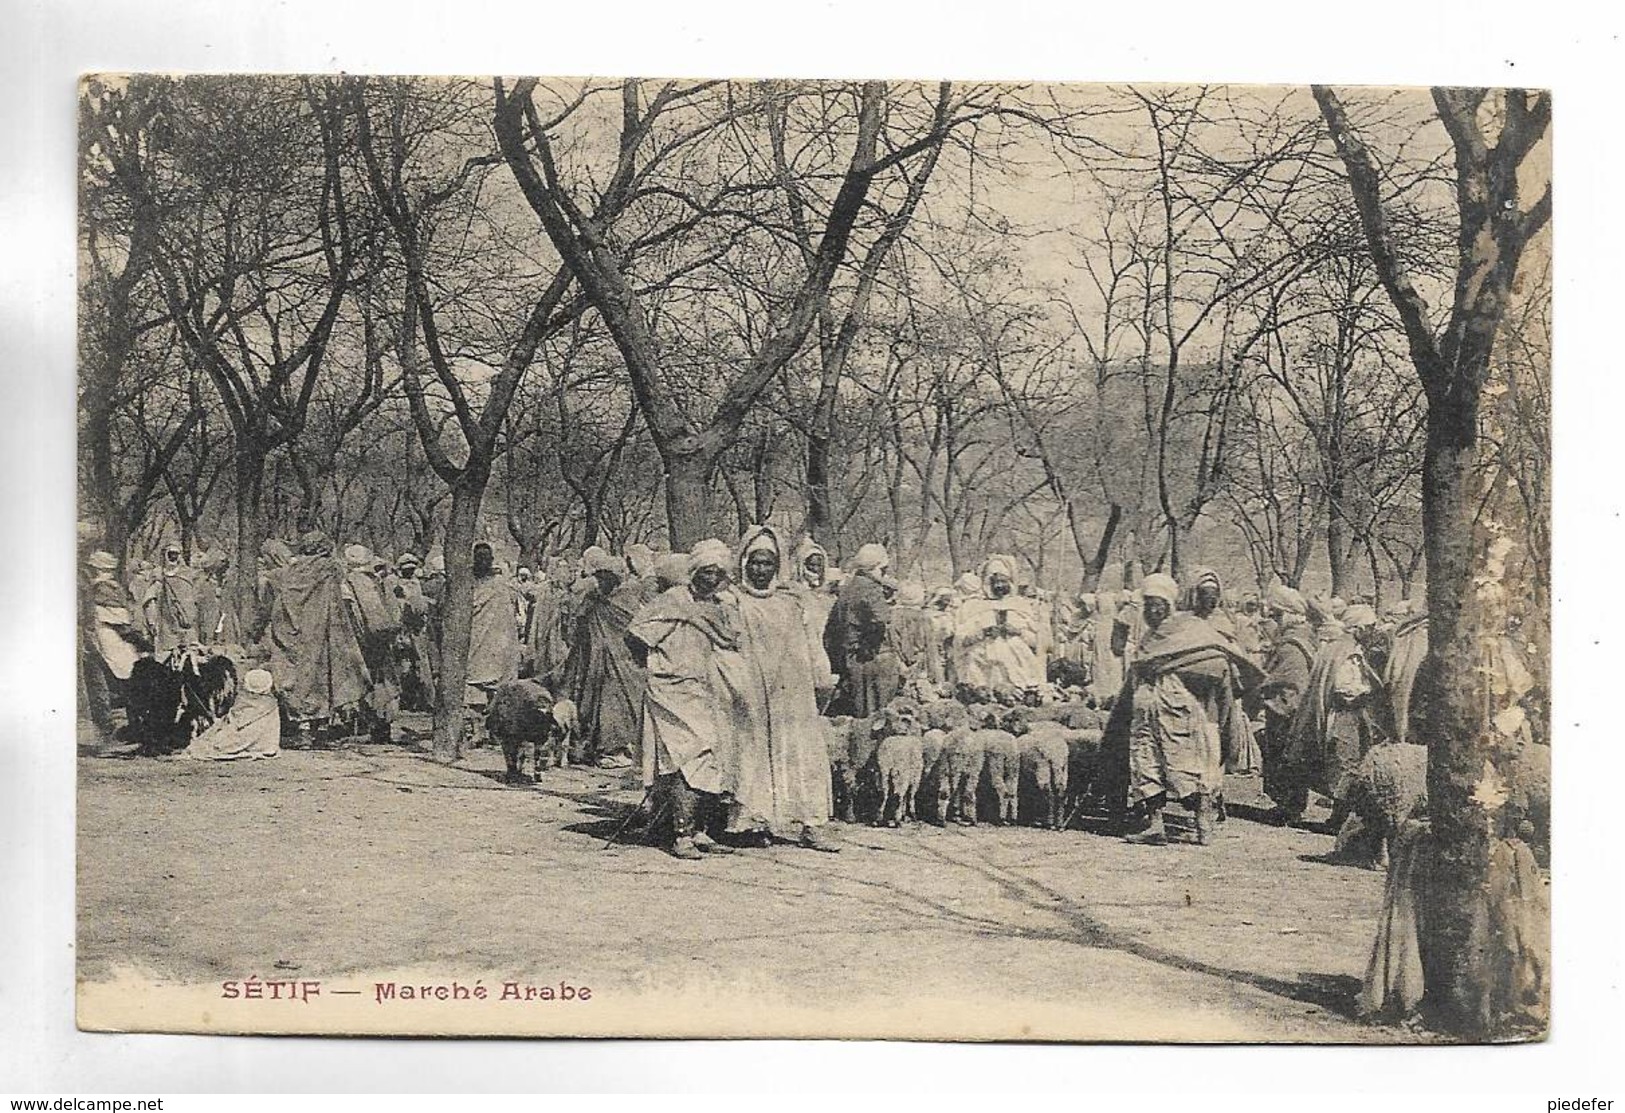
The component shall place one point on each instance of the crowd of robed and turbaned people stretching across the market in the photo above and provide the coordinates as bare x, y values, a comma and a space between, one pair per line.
716, 672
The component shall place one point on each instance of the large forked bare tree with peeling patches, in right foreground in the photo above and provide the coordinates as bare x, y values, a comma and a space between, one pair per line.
1494, 139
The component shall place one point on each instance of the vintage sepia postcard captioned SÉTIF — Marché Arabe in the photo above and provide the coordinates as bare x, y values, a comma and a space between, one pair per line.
836, 560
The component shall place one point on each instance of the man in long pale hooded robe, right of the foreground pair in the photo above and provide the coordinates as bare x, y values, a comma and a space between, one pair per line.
781, 773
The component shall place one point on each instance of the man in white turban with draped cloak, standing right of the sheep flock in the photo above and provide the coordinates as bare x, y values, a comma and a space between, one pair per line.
1184, 677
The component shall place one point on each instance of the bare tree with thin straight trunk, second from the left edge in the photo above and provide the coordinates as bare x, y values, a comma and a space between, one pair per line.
259, 266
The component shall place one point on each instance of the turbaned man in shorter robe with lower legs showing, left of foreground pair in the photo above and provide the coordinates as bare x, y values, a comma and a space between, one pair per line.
677, 638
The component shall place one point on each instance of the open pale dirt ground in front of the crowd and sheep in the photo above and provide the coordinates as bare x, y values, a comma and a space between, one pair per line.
375, 859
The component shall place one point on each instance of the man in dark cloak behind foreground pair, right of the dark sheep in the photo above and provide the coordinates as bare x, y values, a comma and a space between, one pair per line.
600, 673
